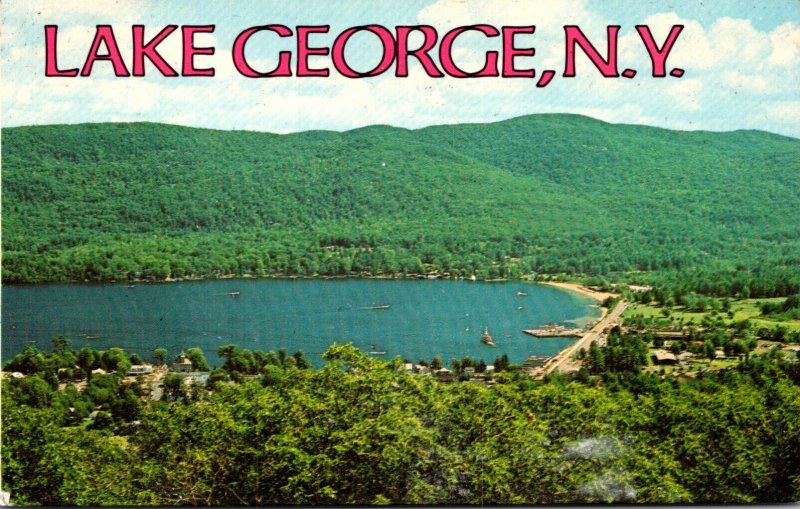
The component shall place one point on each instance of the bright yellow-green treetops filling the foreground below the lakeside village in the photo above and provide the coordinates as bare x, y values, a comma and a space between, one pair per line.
361, 431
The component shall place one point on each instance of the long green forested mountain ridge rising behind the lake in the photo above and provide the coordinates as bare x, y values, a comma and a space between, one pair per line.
544, 193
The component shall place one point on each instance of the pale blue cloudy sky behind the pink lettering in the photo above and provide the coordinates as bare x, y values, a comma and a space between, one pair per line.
742, 63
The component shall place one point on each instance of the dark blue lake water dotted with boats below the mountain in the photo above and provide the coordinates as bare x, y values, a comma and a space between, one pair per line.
425, 318
